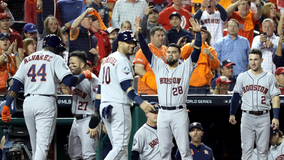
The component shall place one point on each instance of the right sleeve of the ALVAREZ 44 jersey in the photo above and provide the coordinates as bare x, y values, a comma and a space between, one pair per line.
61, 68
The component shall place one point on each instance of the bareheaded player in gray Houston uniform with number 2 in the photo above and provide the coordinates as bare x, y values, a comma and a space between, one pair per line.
256, 88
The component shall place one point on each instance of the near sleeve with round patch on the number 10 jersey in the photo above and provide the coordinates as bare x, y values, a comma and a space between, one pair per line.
124, 71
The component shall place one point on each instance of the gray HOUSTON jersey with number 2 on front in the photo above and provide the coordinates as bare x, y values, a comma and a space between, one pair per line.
256, 91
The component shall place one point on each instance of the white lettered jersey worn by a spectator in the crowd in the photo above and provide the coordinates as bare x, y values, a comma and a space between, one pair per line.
214, 25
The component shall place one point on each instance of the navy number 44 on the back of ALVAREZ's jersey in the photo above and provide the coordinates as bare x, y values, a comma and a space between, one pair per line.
40, 73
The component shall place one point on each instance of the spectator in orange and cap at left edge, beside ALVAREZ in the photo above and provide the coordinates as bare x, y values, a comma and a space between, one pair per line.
8, 61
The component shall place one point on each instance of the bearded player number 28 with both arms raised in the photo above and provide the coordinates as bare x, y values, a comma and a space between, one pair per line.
172, 83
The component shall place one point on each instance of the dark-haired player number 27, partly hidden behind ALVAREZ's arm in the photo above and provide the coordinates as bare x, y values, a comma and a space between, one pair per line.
82, 146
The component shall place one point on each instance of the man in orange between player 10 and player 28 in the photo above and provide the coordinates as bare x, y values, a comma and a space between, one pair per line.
147, 81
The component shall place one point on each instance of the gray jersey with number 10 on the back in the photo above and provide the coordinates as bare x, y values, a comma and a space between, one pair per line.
115, 68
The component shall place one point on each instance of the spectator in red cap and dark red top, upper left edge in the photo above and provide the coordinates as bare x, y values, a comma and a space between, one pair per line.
5, 27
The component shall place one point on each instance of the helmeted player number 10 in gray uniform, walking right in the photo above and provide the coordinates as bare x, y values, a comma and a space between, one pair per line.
116, 94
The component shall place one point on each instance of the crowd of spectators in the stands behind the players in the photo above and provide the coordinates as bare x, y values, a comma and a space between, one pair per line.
229, 30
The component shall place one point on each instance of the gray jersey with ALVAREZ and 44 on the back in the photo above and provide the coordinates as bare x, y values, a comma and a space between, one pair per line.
42, 66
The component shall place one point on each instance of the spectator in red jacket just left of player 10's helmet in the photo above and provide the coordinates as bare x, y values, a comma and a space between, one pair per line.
104, 47
